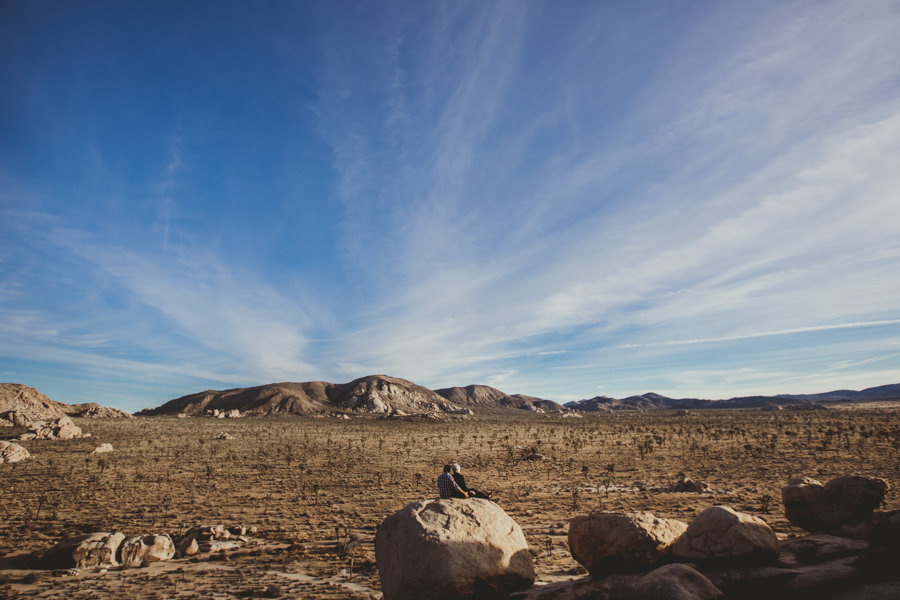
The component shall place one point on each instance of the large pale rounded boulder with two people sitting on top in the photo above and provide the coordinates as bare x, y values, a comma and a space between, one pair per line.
442, 549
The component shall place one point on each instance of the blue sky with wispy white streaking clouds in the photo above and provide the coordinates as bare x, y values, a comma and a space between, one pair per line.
558, 199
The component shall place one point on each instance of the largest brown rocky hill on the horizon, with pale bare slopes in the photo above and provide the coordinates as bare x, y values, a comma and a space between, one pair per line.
375, 394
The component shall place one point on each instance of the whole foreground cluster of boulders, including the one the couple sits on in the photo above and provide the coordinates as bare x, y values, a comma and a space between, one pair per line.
443, 549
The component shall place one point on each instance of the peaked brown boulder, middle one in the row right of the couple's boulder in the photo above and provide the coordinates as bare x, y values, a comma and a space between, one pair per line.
722, 534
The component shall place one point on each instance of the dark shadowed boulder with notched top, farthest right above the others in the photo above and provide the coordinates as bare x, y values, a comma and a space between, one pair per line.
842, 501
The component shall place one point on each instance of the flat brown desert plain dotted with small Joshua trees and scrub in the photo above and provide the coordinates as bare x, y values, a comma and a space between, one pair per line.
304, 495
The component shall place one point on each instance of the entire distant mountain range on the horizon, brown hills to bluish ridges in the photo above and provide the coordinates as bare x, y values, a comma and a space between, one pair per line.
392, 396
